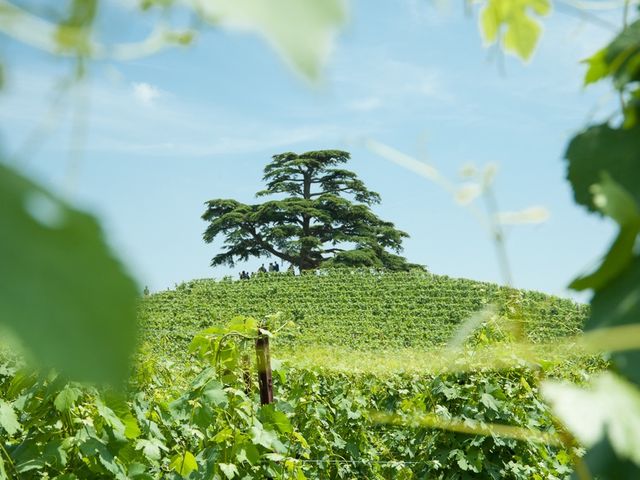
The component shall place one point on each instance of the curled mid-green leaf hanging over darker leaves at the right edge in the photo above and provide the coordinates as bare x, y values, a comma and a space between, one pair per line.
614, 201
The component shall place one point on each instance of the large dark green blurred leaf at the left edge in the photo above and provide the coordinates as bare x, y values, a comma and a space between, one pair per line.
61, 289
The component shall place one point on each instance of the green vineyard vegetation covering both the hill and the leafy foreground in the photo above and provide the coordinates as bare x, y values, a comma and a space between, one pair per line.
192, 410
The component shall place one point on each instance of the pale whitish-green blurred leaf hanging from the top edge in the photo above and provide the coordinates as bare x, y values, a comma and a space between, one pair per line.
302, 31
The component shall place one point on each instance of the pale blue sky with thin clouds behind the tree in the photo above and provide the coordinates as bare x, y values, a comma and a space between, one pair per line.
163, 134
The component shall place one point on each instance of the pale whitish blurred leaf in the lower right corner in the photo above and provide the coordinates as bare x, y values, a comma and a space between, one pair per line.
612, 407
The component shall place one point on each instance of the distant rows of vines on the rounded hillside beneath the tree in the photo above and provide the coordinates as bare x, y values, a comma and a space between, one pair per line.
359, 310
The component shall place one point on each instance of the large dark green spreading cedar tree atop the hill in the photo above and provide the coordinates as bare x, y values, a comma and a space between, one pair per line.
323, 220
